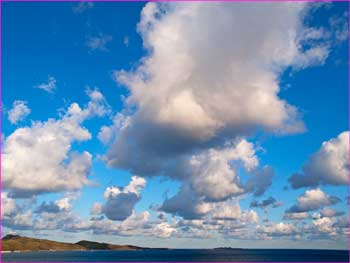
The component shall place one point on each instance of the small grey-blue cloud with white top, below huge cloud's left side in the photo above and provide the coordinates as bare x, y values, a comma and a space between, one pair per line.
121, 200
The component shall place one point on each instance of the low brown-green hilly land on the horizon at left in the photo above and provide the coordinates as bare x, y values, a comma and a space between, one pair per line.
21, 243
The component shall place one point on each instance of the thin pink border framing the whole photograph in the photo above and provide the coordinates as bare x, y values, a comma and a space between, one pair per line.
256, 1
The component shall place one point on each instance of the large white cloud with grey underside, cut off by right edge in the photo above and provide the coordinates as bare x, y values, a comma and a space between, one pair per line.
329, 165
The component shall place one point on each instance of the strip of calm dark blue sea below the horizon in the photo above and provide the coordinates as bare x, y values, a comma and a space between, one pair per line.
183, 255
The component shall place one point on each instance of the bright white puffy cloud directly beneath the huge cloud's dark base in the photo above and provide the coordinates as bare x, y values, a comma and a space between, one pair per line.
212, 173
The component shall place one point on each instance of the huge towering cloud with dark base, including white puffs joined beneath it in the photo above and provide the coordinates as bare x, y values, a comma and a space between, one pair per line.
187, 125
